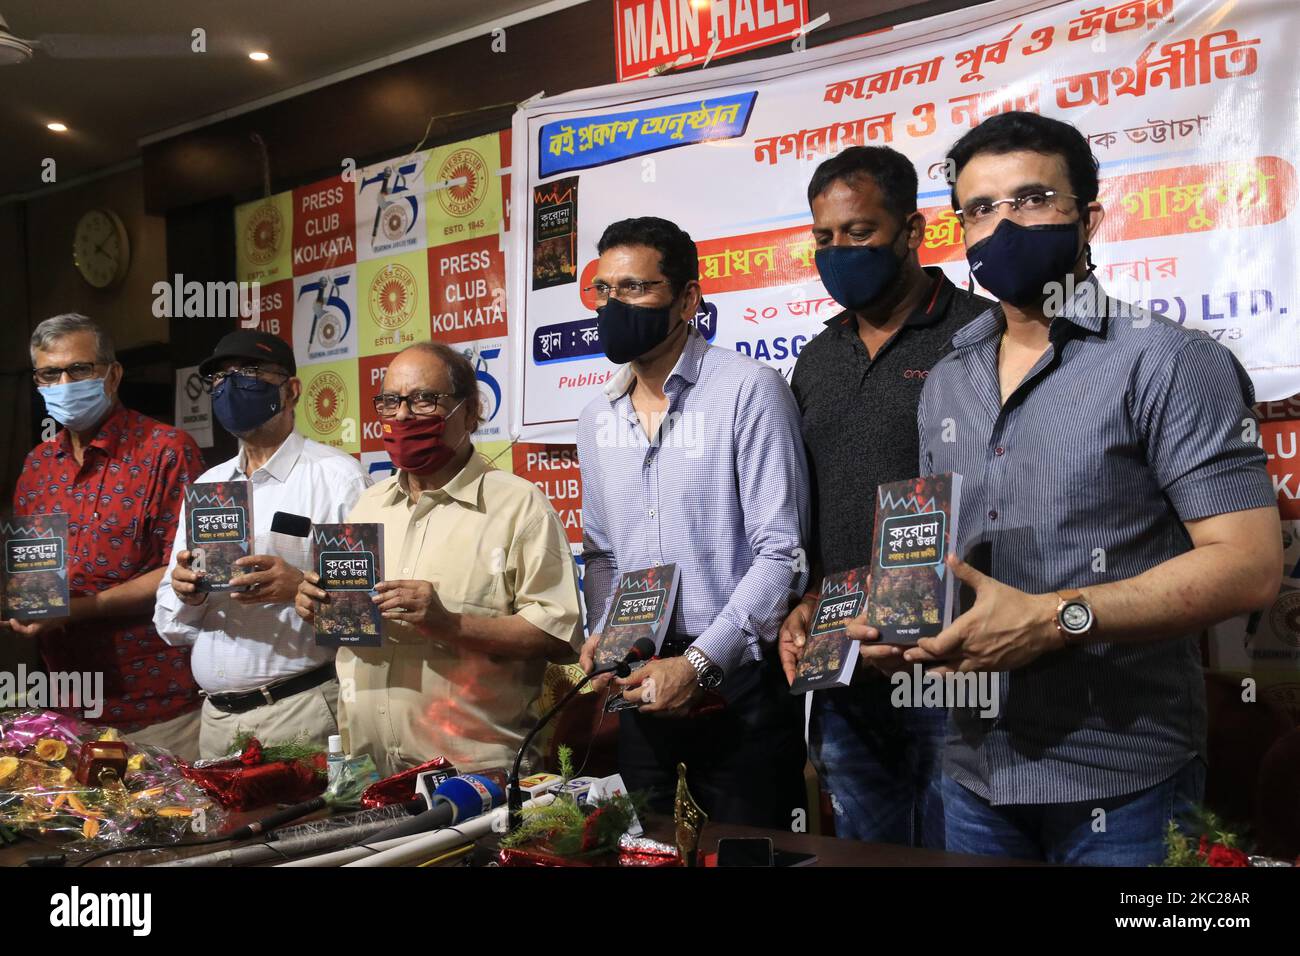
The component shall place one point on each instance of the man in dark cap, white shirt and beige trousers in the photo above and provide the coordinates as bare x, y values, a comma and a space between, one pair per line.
254, 657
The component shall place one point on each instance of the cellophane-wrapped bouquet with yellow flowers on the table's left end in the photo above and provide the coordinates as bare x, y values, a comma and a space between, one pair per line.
42, 798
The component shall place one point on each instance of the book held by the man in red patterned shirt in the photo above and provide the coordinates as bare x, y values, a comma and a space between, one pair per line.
36, 568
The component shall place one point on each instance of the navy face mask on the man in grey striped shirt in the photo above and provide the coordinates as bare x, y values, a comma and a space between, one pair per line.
1017, 262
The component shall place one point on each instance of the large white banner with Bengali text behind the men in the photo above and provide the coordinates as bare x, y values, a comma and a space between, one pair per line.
1191, 109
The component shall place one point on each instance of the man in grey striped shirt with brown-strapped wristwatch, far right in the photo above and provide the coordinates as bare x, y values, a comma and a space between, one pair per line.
1115, 504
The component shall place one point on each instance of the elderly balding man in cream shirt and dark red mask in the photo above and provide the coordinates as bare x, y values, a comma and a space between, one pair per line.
480, 592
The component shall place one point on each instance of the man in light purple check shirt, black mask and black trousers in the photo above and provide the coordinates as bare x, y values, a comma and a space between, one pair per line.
694, 457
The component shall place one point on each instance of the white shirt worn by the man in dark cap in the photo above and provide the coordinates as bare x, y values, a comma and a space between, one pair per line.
244, 647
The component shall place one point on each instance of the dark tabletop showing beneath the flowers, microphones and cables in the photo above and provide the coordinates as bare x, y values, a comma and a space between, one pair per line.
830, 851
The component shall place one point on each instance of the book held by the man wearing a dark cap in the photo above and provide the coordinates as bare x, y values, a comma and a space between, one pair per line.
219, 531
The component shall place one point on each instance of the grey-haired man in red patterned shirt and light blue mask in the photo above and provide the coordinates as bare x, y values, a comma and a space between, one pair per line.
119, 477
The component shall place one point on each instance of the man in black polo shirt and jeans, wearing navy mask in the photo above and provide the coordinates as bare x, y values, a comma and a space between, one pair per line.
859, 384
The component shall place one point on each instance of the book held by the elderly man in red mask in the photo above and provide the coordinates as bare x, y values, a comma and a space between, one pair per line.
350, 561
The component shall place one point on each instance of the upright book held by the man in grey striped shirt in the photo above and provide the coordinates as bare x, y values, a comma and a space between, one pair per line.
913, 592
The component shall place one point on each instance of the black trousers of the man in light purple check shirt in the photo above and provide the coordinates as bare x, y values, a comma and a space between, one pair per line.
744, 763
